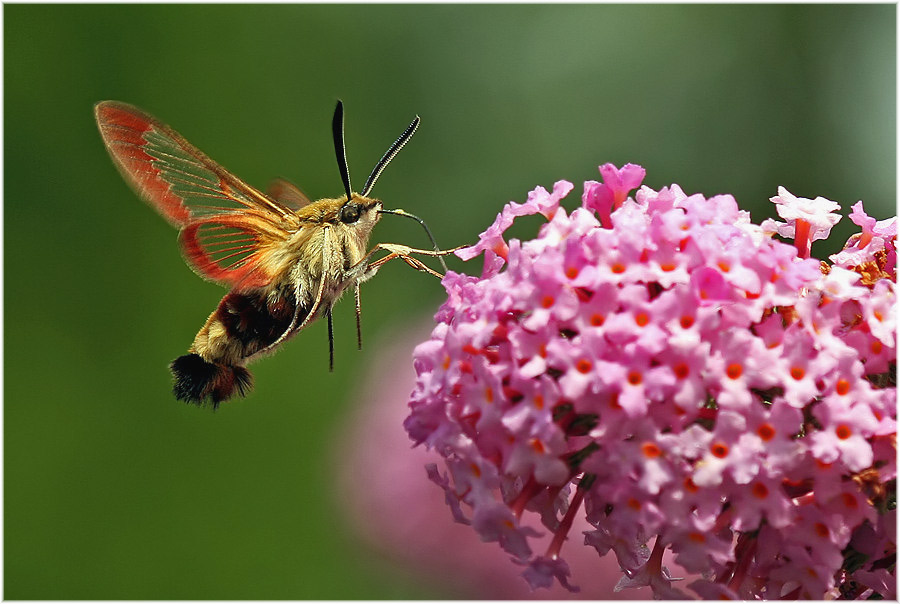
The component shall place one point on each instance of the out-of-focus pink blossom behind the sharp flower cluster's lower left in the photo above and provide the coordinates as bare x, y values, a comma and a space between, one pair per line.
397, 511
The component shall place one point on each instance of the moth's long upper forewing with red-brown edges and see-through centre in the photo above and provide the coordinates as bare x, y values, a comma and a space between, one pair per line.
175, 177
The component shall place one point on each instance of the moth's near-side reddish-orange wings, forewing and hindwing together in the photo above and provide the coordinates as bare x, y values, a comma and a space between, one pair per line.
229, 230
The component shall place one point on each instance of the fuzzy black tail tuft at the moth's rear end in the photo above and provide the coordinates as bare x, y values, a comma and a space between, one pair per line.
198, 381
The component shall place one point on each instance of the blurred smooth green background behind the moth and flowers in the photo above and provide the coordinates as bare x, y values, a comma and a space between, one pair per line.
113, 489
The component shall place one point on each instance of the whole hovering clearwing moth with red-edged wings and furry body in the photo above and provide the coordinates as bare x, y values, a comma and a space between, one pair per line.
285, 259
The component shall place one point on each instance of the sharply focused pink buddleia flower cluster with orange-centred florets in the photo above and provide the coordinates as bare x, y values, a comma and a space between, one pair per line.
695, 387
